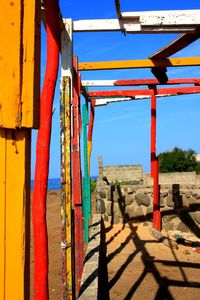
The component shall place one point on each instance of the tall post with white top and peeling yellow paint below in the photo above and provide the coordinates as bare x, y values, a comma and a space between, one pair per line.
65, 136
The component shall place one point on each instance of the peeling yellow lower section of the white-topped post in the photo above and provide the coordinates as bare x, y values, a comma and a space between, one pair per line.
66, 205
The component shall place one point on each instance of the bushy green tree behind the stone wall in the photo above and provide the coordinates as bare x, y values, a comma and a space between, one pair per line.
178, 160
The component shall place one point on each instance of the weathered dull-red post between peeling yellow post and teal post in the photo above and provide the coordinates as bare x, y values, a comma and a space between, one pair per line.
76, 179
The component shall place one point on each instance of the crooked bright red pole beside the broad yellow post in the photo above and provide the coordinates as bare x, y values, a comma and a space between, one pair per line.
42, 154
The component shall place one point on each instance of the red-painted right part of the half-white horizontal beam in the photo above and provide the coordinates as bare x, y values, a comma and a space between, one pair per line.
136, 82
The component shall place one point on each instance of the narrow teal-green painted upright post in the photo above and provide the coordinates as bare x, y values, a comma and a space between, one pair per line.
86, 179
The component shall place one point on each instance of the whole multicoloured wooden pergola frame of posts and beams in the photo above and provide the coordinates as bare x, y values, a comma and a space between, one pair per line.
19, 113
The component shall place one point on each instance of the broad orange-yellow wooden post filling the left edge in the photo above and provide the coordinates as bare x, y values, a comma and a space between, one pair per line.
19, 112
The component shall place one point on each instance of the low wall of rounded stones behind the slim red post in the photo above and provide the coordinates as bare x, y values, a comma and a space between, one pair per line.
179, 203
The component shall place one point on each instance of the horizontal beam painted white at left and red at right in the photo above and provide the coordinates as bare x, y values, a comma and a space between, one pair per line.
137, 82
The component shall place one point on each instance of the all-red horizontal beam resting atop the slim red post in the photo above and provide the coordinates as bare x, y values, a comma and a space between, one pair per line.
133, 93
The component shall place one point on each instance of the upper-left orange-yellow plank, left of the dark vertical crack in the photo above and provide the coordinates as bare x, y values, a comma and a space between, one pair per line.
10, 28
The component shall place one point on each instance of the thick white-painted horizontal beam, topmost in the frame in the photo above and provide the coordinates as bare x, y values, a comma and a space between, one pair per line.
144, 22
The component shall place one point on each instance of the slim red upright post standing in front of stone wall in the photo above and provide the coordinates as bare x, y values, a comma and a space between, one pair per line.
154, 164
